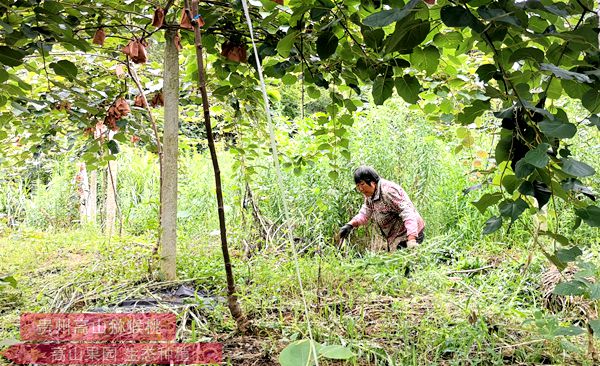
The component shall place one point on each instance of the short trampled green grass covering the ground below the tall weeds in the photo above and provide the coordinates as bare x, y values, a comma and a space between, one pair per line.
406, 307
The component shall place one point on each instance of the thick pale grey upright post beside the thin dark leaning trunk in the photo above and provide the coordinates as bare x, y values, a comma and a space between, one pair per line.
168, 188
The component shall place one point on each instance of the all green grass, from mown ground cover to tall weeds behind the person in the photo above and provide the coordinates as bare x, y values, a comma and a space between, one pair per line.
405, 308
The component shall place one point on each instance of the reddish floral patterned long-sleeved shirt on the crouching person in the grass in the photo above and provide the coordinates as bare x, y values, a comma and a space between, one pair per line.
392, 211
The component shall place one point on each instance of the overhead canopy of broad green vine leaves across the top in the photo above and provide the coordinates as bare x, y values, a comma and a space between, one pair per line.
458, 61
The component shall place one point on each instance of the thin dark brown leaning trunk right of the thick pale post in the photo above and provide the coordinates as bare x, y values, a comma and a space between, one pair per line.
232, 301
